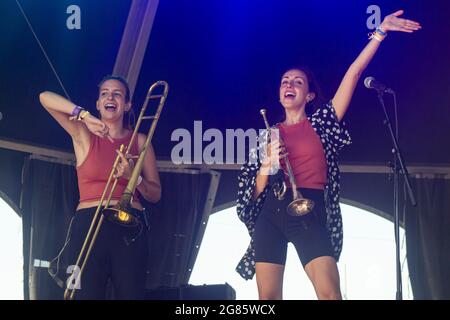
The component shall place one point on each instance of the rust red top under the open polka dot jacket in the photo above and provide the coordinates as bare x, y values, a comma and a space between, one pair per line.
306, 155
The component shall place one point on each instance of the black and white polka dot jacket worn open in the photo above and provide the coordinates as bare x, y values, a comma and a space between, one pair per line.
334, 136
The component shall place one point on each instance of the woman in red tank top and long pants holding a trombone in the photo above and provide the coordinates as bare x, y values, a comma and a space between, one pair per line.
119, 253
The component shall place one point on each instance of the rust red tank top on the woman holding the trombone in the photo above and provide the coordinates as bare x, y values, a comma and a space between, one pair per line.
93, 173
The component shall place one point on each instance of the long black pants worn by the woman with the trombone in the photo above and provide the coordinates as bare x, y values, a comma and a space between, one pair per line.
119, 254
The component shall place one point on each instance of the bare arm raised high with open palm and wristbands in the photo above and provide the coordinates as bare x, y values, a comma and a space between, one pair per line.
343, 96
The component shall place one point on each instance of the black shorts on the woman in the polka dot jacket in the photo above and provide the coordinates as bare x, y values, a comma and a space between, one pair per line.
275, 228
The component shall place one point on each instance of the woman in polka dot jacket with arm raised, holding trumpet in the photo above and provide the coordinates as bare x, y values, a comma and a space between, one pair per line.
312, 144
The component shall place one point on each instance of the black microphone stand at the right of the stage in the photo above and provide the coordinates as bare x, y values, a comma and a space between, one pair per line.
398, 167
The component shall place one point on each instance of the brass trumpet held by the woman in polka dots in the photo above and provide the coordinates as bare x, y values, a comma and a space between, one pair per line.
299, 205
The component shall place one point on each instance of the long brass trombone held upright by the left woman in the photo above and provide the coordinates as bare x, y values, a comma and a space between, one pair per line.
121, 212
